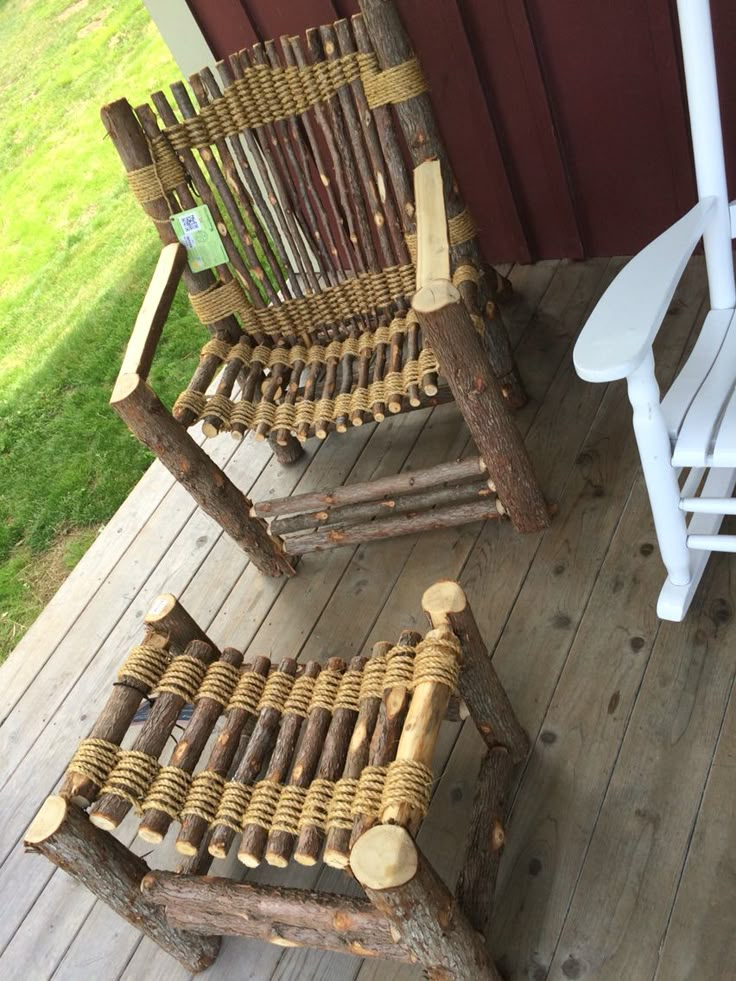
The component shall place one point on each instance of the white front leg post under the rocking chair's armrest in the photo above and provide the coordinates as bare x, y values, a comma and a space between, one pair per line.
656, 459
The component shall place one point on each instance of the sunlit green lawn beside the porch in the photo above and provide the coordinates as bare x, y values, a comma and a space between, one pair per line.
77, 255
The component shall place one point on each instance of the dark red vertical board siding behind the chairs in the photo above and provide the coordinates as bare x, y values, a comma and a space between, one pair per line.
566, 121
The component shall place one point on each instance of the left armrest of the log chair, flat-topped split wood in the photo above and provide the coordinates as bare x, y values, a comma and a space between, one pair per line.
154, 310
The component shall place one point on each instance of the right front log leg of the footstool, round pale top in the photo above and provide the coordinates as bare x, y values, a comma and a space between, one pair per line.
401, 883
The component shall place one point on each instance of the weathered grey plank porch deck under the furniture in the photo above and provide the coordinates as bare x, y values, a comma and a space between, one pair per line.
620, 861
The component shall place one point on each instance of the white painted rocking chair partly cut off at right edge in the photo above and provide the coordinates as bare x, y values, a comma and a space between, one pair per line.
694, 426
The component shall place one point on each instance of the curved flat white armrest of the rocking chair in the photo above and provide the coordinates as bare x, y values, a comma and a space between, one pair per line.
622, 327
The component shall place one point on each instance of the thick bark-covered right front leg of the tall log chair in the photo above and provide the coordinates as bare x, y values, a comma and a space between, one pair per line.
450, 332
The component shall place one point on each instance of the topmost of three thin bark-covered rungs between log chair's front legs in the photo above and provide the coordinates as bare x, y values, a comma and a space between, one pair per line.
374, 490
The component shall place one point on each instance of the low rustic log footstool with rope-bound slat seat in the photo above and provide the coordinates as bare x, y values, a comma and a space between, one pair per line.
329, 760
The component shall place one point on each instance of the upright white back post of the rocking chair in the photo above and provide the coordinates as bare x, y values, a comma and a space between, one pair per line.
705, 125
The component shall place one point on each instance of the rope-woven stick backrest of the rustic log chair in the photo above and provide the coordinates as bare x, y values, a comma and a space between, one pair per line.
299, 157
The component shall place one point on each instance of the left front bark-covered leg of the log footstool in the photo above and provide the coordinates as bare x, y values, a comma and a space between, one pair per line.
113, 874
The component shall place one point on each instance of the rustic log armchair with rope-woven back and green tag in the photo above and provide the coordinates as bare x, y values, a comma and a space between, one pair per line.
301, 167
